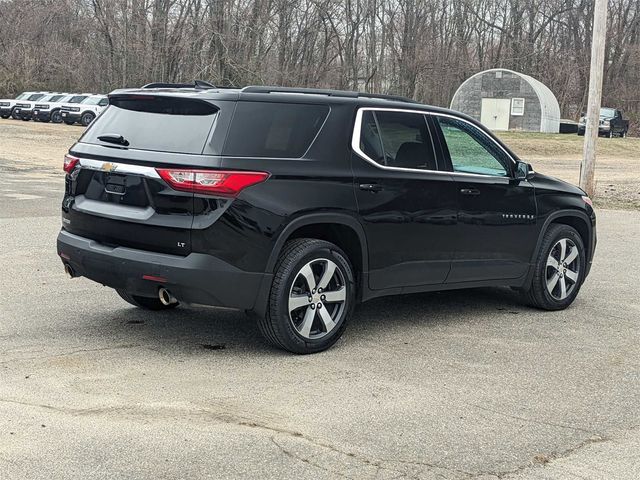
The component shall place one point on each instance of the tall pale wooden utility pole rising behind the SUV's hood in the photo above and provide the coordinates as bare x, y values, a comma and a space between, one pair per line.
587, 169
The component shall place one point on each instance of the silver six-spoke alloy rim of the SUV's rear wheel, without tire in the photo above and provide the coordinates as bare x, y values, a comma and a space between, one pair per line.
317, 299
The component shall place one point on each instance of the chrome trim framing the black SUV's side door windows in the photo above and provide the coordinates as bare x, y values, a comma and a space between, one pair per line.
357, 130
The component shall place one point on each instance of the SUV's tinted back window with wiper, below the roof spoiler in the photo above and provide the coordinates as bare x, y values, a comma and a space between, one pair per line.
162, 124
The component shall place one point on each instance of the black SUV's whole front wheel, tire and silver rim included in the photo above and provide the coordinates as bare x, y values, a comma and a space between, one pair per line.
546, 289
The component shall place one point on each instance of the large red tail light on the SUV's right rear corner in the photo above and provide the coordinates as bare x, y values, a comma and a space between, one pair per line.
211, 182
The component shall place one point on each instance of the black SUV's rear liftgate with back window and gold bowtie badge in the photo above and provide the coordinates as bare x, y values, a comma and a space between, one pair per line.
115, 193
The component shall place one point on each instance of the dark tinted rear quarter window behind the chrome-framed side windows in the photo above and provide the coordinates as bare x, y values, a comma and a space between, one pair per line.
284, 130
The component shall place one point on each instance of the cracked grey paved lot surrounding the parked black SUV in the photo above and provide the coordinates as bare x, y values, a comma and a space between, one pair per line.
453, 385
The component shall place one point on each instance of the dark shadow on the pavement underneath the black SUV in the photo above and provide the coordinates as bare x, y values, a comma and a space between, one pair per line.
207, 330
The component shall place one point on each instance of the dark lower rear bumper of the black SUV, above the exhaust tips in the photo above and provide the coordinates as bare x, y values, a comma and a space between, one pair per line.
196, 278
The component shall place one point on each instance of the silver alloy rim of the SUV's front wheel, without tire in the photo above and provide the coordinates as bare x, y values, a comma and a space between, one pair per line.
563, 269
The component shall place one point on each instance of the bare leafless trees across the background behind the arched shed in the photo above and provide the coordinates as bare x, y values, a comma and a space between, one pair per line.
422, 49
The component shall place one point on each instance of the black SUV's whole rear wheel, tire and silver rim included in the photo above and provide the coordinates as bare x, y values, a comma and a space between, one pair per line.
317, 323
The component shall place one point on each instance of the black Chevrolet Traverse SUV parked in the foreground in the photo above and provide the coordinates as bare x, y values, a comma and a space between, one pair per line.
297, 204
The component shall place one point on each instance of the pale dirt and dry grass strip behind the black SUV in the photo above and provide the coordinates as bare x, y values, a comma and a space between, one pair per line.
617, 172
